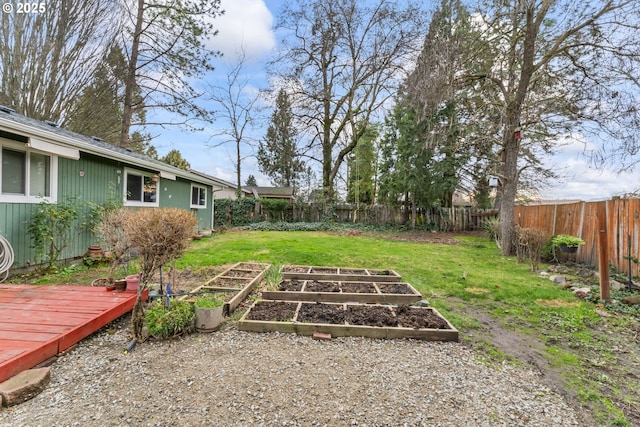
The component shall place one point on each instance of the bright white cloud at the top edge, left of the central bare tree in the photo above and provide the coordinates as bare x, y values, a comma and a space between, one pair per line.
246, 24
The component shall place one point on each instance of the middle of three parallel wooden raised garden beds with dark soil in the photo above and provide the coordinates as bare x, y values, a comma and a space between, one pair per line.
336, 291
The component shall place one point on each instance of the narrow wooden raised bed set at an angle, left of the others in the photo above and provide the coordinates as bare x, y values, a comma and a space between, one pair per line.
234, 284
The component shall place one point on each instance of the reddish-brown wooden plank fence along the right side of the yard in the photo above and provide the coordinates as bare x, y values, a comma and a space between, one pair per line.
580, 219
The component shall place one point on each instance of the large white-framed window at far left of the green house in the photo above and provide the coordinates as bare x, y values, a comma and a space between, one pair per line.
25, 176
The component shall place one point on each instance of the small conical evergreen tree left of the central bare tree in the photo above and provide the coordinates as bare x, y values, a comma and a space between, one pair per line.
278, 156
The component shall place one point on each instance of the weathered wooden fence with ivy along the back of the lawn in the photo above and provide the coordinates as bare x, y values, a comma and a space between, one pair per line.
246, 211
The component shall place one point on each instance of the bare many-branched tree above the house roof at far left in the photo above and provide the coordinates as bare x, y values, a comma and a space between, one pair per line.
47, 59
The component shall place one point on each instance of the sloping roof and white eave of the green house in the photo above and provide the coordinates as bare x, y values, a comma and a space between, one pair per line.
50, 133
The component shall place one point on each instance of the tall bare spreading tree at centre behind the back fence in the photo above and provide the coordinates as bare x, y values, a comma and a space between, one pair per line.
344, 58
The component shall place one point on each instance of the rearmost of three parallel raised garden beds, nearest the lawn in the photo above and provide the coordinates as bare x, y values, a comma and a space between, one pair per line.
339, 274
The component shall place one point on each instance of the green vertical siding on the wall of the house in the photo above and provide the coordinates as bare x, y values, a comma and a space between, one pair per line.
90, 179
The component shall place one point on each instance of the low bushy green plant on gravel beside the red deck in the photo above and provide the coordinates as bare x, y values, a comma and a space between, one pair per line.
166, 322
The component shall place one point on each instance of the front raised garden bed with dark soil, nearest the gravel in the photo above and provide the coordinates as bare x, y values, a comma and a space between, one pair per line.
373, 321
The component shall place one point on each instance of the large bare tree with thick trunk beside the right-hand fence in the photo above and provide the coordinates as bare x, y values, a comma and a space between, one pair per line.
555, 66
